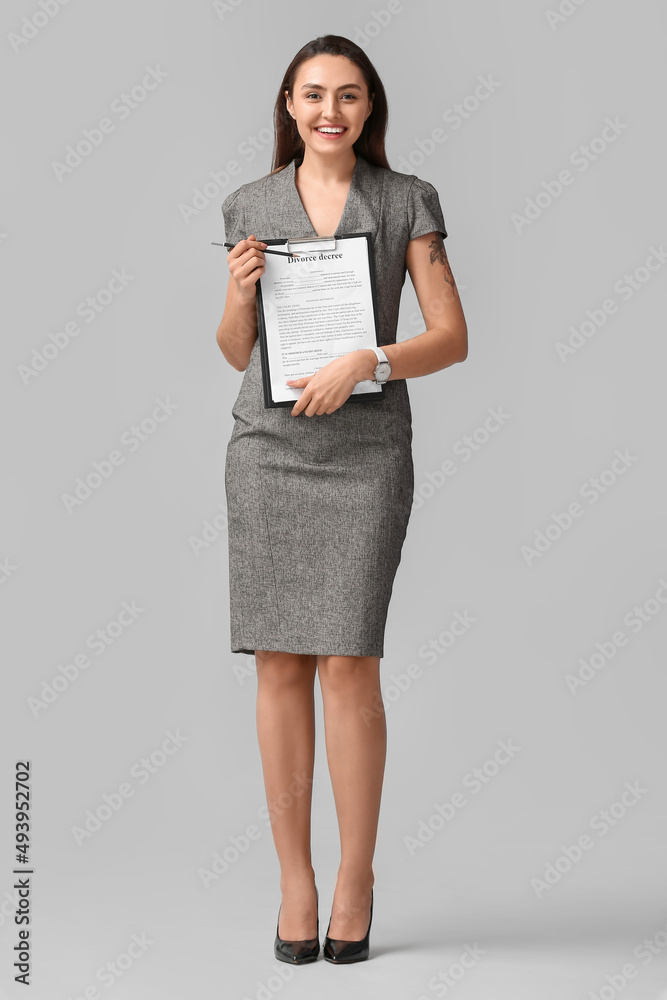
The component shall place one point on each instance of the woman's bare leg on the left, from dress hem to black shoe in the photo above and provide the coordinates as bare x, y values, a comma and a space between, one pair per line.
286, 737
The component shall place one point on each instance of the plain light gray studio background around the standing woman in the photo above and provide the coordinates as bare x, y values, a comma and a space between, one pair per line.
67, 574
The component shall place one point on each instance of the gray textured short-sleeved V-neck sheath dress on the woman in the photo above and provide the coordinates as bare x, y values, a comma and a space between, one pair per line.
318, 507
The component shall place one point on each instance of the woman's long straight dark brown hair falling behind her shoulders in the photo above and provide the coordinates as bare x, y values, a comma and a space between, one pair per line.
289, 145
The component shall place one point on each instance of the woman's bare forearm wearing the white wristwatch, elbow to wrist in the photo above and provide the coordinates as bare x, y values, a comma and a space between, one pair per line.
424, 354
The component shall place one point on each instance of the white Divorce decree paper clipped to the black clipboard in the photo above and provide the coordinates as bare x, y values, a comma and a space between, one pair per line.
316, 307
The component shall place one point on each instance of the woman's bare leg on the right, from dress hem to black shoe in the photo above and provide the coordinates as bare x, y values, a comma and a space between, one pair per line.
356, 742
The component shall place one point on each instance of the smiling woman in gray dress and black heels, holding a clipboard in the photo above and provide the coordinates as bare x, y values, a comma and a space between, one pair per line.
319, 495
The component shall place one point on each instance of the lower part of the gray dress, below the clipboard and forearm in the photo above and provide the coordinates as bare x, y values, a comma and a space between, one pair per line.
318, 509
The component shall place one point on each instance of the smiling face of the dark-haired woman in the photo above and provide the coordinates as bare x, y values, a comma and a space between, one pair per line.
329, 92
